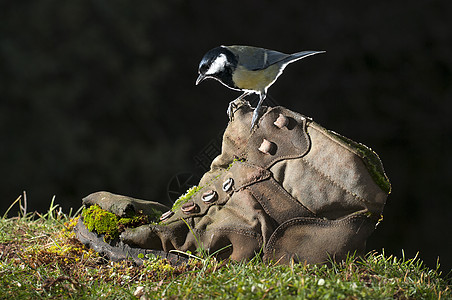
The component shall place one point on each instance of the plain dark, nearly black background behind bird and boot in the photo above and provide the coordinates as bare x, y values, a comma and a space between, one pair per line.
100, 95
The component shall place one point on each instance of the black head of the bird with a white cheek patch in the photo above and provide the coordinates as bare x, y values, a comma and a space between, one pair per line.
218, 63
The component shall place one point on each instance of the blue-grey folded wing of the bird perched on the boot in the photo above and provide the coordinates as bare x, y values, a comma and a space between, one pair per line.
254, 58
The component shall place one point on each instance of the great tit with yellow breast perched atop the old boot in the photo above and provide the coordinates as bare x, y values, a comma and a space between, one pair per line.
247, 69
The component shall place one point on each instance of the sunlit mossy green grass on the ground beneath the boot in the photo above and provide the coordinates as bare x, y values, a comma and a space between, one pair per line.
41, 259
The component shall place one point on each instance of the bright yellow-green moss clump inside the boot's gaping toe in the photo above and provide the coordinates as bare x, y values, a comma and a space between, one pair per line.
110, 225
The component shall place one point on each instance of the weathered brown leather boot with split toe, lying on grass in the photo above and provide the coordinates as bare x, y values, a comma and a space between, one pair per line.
290, 190
